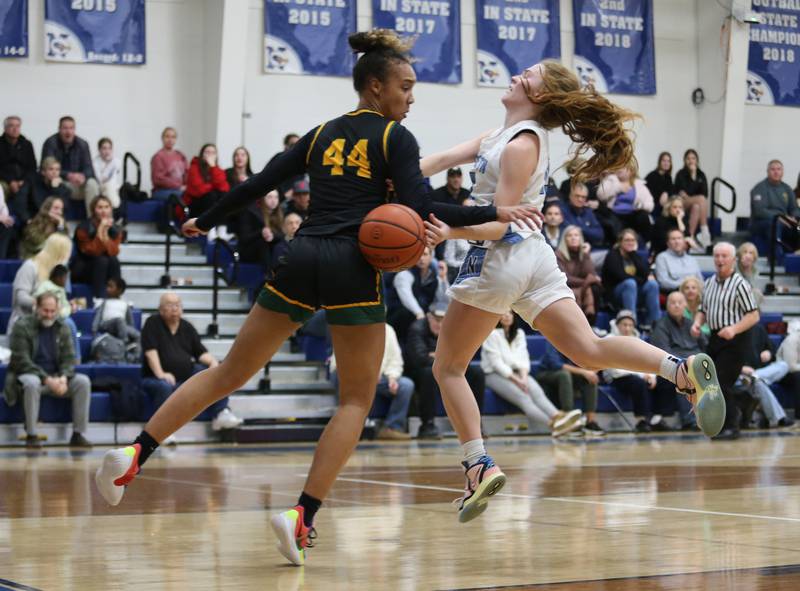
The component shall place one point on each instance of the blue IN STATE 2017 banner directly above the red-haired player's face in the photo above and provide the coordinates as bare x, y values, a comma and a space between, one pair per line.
514, 36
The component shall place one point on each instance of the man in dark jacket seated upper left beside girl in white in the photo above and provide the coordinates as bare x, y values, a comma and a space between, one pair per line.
76, 162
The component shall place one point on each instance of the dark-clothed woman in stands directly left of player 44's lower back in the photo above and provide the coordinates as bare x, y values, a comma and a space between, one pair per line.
259, 228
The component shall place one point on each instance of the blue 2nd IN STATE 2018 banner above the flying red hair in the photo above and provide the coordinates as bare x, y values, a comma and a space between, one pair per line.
614, 45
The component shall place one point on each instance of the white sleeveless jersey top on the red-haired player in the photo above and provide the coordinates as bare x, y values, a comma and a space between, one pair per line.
487, 169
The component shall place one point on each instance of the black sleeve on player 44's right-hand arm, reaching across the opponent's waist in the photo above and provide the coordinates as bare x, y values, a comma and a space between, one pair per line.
412, 190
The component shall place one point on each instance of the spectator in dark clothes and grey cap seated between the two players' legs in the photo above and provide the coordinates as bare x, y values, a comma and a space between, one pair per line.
423, 335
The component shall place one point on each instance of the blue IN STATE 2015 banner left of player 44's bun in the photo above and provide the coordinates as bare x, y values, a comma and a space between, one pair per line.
308, 36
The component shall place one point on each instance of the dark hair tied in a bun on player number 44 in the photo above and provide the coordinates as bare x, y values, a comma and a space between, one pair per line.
380, 49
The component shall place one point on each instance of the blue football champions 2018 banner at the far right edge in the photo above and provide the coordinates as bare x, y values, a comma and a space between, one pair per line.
773, 67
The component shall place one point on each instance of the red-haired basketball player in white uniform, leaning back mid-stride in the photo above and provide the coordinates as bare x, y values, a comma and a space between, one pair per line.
513, 267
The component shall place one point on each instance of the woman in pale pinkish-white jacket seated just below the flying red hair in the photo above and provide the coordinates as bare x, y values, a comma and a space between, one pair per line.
629, 199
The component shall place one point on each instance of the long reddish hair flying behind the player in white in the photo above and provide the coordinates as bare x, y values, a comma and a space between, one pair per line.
589, 119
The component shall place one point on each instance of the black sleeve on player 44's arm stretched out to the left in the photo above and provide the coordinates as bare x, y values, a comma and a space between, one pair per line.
286, 165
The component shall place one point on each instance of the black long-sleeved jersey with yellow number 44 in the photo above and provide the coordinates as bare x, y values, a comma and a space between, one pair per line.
348, 161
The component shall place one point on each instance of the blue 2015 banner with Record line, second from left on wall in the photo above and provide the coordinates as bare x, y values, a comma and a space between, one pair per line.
95, 31
